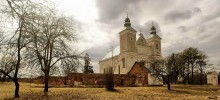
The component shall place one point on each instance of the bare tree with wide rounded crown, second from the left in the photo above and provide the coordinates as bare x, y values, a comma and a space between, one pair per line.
50, 35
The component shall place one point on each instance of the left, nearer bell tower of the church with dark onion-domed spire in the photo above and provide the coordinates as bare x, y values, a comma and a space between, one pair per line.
127, 37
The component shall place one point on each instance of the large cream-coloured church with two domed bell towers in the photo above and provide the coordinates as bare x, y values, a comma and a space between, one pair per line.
132, 49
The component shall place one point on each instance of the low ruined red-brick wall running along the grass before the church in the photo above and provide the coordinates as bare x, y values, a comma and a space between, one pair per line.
92, 80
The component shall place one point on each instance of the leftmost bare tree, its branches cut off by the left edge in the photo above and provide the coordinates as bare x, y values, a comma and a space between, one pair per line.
20, 12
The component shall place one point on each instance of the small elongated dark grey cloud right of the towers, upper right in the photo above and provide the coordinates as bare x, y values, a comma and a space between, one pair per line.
179, 15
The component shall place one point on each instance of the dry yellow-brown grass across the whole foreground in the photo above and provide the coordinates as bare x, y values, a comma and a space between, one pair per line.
178, 92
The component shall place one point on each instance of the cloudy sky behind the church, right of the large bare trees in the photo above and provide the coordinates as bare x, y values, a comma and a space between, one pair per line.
180, 24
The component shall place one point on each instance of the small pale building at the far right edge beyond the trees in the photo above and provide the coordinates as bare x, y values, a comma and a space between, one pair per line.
212, 78
